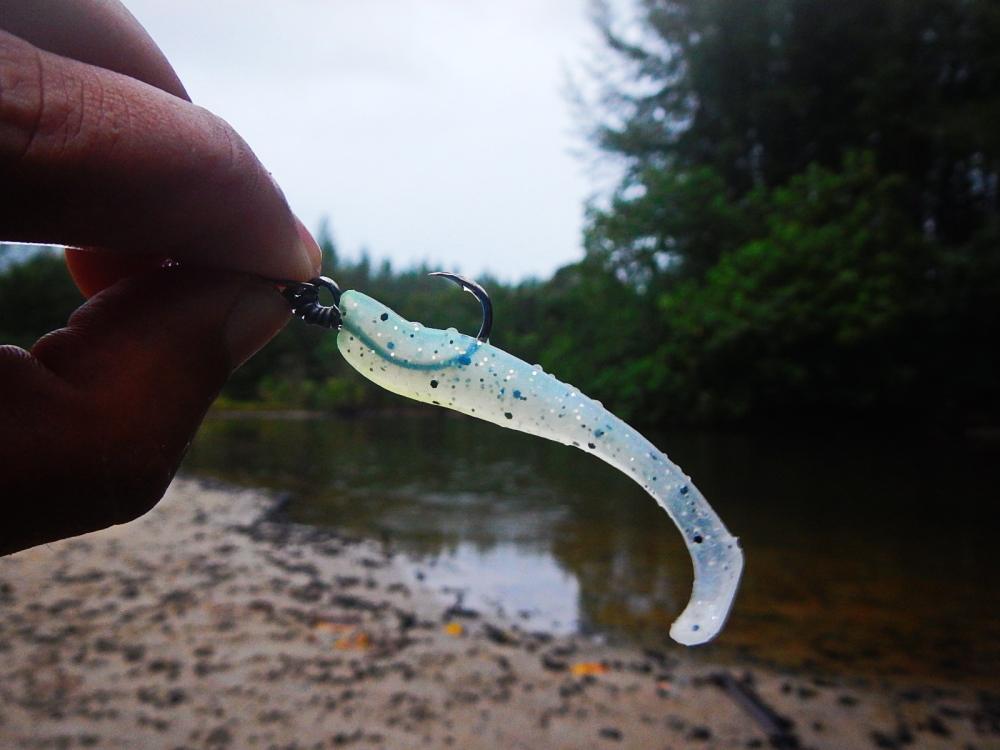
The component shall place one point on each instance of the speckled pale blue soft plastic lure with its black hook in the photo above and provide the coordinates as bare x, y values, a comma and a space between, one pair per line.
468, 374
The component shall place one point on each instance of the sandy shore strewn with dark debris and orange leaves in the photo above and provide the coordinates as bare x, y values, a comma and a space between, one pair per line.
208, 624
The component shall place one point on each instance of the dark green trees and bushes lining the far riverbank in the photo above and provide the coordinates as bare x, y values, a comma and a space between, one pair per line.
808, 226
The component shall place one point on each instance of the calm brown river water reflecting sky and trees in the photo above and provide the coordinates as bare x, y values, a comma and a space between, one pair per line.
864, 555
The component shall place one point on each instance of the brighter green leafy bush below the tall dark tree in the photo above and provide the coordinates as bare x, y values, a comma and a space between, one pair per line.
813, 312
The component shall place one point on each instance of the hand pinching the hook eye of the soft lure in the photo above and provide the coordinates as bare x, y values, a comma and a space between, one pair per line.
101, 148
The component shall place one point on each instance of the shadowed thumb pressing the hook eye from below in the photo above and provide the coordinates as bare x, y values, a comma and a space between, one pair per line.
100, 414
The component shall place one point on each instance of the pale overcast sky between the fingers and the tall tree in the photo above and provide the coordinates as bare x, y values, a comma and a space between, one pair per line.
424, 129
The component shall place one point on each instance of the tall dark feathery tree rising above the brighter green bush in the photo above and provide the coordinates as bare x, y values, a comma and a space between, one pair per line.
759, 90
